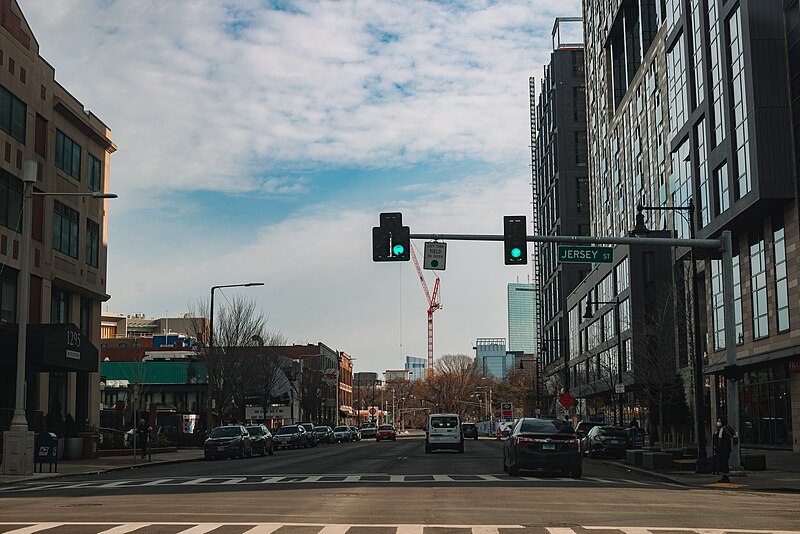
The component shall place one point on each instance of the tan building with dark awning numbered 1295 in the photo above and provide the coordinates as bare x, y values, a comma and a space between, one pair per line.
41, 122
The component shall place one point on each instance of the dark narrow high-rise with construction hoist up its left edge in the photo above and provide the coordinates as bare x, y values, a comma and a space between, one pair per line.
560, 180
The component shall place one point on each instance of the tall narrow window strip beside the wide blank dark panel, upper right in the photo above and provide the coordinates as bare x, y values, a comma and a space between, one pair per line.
742, 183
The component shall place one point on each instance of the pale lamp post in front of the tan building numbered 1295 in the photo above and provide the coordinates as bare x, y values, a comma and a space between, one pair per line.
17, 458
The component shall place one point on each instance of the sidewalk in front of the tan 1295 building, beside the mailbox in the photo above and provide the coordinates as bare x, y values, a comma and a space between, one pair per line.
106, 463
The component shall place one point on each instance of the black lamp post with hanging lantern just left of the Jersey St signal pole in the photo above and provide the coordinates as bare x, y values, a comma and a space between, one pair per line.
702, 465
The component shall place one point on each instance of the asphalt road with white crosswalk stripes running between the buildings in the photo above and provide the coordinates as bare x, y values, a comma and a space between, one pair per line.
392, 483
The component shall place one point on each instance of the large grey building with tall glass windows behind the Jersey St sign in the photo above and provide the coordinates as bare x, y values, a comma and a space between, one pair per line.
698, 100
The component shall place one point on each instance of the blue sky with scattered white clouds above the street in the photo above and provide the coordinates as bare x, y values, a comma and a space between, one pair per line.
259, 140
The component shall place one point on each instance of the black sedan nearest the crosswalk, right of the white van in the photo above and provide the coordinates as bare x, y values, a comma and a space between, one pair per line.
542, 443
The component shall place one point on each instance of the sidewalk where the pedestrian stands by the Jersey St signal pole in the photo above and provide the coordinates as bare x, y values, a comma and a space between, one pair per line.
782, 474
